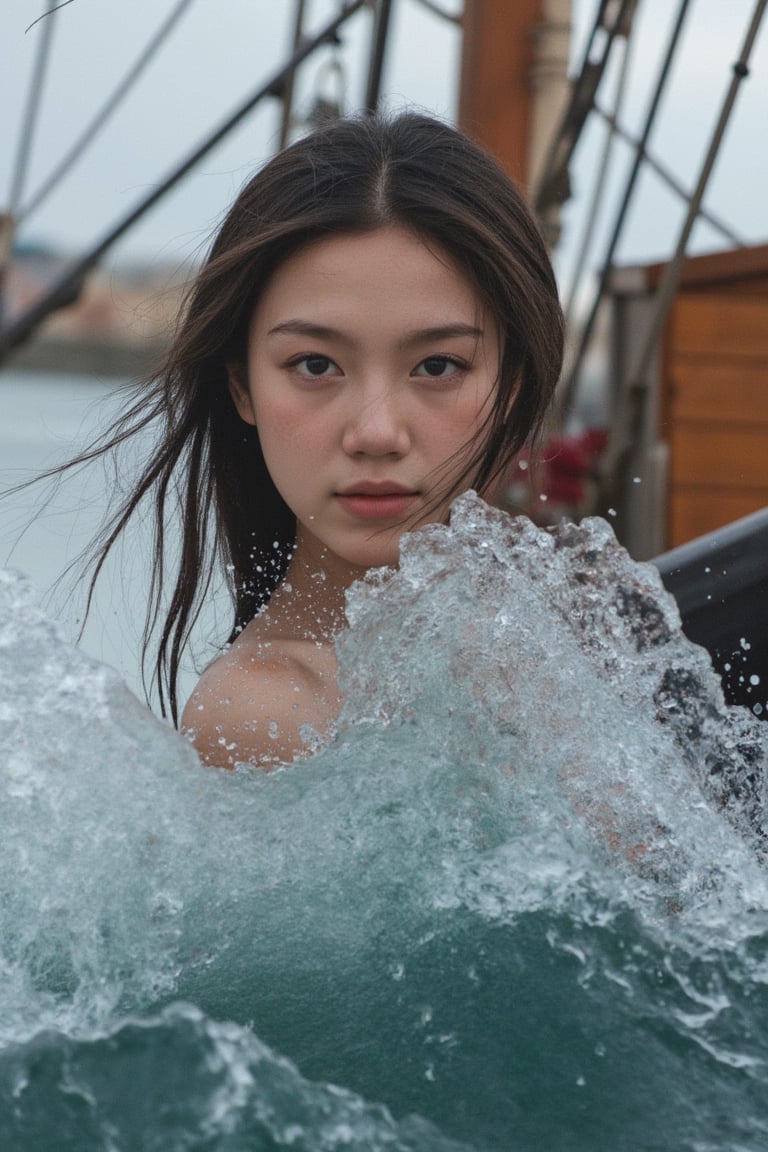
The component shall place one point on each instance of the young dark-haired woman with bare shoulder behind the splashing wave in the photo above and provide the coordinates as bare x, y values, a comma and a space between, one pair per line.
376, 330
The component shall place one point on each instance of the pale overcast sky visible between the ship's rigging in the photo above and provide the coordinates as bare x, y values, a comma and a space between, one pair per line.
222, 50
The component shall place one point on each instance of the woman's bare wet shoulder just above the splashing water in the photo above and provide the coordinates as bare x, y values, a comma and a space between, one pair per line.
253, 703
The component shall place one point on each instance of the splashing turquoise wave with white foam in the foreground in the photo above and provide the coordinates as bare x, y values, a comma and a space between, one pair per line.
519, 904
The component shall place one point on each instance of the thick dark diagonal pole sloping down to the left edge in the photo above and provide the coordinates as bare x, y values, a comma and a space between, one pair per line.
70, 285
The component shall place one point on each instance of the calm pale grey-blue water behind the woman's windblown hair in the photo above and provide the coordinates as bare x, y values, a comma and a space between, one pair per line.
48, 527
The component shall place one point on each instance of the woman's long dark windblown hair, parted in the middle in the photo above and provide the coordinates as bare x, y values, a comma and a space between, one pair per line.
353, 177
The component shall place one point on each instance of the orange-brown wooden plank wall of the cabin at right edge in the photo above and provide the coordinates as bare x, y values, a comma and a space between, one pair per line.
714, 412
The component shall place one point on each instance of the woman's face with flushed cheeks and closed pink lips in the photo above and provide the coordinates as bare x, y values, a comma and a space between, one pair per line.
372, 362
